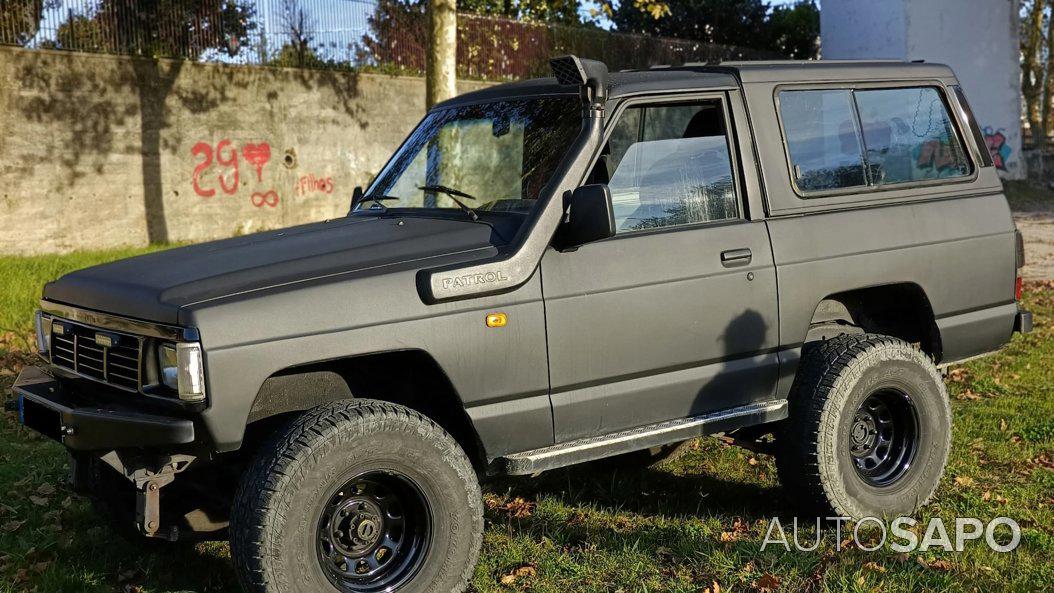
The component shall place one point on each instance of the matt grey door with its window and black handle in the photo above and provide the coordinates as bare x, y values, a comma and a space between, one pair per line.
676, 315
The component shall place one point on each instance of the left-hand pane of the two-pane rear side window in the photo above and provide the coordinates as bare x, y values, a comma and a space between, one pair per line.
827, 152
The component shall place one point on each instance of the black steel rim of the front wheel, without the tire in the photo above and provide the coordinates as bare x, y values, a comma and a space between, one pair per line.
375, 533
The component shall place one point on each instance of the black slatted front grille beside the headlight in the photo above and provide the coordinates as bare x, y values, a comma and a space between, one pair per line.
77, 348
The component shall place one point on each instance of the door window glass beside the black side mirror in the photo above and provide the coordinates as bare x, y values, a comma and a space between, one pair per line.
671, 166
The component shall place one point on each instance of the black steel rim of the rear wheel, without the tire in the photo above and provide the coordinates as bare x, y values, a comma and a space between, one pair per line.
884, 438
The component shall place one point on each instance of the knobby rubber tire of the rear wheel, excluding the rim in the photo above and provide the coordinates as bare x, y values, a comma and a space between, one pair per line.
834, 379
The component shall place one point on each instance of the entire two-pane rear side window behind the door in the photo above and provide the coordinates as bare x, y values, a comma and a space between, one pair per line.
845, 139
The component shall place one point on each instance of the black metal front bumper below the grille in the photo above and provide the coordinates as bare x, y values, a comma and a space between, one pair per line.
83, 425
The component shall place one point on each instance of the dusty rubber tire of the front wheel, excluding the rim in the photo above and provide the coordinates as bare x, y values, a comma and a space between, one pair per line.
283, 493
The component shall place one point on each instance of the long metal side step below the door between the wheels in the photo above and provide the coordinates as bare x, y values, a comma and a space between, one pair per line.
643, 438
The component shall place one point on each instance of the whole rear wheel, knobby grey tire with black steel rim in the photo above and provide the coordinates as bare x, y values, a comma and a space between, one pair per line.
870, 428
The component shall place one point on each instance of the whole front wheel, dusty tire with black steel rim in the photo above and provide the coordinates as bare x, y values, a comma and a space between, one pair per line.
359, 497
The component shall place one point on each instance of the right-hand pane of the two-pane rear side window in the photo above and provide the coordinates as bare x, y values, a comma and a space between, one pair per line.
910, 136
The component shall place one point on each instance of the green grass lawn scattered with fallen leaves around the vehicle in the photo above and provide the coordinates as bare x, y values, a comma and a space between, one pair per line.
696, 524
